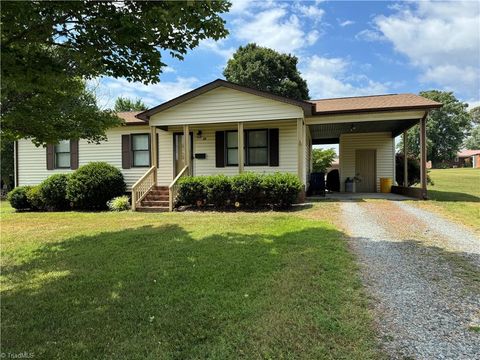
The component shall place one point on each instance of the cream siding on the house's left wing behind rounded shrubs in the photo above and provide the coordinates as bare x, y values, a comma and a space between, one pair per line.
32, 160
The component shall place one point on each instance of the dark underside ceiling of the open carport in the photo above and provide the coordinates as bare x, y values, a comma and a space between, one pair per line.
330, 133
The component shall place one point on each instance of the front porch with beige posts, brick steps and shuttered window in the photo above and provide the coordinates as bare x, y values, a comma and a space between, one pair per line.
268, 147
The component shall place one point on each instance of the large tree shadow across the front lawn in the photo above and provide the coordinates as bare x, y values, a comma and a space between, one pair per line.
157, 292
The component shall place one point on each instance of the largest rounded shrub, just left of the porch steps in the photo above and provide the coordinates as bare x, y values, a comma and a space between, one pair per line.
92, 185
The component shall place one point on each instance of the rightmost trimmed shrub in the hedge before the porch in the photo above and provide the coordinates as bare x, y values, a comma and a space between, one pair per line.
281, 189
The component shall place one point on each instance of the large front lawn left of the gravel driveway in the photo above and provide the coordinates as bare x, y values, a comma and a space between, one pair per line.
179, 286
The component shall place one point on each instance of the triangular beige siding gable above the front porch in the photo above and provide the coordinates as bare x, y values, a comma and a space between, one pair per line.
225, 105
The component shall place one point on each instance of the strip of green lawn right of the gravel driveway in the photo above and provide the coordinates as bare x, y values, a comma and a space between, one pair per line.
456, 194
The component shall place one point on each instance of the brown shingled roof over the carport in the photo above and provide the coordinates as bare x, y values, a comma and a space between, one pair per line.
391, 102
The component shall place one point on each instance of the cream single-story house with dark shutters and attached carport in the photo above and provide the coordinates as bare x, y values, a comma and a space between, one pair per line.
219, 118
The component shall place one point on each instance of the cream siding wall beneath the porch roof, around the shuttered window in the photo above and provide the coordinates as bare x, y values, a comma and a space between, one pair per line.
206, 144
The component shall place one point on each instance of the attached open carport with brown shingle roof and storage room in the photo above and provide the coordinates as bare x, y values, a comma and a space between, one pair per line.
365, 129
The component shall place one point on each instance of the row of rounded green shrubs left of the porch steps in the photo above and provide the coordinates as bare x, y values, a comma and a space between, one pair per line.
89, 187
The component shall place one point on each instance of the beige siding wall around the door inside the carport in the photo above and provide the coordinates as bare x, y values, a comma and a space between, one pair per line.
381, 142
